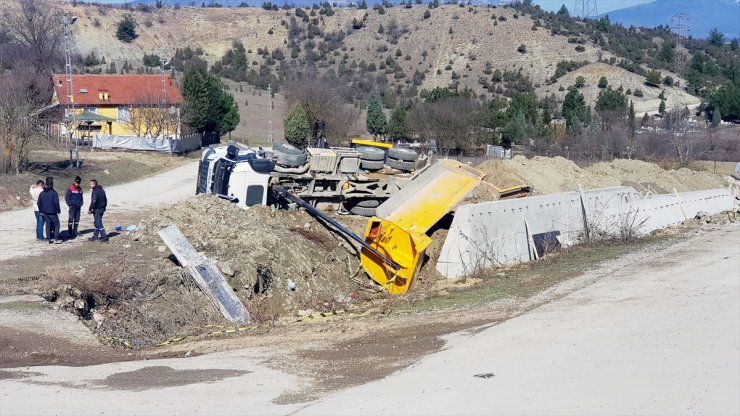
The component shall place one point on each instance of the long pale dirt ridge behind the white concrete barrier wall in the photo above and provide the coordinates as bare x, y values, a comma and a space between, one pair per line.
552, 175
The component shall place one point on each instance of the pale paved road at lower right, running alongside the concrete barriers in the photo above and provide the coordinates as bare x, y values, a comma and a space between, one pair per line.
658, 338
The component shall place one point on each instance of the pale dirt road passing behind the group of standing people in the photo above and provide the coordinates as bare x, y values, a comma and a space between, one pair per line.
17, 235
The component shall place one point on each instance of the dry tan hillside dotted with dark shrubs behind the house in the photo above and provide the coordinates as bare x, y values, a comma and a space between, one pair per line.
403, 52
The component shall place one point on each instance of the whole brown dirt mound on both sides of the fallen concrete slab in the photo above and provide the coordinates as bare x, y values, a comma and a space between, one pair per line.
277, 262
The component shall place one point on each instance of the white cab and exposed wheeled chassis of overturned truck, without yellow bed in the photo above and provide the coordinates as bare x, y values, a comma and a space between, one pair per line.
336, 179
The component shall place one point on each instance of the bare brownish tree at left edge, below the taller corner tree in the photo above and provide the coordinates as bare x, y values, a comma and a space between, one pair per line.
24, 95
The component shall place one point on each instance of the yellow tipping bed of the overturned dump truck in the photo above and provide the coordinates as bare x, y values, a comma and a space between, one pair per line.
398, 230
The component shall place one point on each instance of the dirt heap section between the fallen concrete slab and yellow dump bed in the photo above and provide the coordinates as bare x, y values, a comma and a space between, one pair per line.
277, 261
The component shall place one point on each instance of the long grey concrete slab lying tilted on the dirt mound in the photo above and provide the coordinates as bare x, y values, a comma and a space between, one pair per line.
206, 275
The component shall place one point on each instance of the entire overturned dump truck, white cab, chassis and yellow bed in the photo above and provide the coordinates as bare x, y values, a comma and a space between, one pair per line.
404, 207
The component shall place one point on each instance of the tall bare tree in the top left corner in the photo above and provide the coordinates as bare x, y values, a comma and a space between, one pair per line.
35, 29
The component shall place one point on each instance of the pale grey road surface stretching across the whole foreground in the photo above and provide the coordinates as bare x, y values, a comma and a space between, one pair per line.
657, 337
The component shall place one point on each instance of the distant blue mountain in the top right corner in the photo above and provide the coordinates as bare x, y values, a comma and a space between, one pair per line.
703, 16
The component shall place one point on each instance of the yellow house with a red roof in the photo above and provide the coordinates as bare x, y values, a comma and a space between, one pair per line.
121, 105
